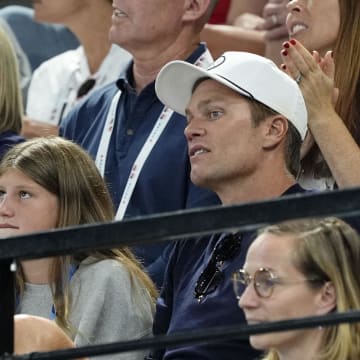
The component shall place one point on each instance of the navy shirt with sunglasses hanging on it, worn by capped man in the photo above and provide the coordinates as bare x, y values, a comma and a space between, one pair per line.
178, 310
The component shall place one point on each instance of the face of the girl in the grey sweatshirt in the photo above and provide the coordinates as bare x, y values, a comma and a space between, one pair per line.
25, 206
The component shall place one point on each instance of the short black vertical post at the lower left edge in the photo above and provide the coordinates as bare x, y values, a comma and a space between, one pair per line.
7, 307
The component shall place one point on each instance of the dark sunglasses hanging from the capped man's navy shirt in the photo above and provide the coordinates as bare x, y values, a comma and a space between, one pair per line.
210, 278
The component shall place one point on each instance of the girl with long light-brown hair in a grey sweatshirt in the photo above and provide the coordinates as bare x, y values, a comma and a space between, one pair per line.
95, 296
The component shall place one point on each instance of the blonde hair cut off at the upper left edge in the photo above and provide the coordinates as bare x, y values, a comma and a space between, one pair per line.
11, 105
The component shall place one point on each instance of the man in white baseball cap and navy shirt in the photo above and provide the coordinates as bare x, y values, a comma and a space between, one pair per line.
245, 123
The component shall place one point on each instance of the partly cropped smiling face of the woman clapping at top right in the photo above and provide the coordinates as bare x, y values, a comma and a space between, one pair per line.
315, 23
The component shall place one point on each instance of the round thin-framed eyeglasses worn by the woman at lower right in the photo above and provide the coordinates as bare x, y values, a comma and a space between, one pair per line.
263, 280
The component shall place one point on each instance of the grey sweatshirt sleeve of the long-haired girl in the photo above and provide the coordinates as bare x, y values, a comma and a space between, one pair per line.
107, 307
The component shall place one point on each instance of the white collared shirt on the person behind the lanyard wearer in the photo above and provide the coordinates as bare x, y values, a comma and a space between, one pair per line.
55, 83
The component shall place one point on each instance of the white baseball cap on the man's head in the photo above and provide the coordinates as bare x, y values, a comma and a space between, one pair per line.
248, 74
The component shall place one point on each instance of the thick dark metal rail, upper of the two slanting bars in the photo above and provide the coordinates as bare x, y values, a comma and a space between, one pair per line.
175, 225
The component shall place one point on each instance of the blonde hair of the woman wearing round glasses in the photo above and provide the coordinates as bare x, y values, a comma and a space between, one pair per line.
328, 249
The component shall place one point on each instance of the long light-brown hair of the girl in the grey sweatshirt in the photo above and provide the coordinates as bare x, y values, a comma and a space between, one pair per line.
67, 171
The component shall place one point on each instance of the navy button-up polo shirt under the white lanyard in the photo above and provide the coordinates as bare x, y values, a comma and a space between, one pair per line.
164, 183
